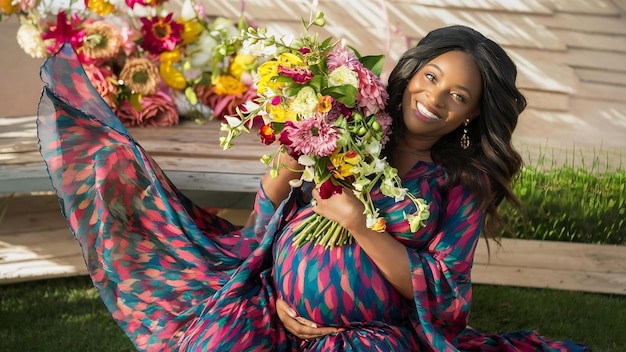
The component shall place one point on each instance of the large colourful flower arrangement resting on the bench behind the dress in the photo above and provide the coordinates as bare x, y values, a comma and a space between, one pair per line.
150, 64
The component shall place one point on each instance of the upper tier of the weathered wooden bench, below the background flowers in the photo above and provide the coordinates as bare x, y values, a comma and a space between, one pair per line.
188, 153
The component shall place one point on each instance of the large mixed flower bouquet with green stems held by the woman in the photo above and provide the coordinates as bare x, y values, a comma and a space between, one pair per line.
325, 105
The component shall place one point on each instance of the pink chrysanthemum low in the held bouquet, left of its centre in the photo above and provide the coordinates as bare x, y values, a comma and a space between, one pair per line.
312, 137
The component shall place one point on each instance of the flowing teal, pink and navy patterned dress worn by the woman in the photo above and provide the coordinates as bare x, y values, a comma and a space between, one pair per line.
178, 278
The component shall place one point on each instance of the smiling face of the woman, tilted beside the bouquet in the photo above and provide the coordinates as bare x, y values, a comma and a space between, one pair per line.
441, 95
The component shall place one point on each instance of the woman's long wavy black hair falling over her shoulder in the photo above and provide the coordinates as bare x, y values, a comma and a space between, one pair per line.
490, 164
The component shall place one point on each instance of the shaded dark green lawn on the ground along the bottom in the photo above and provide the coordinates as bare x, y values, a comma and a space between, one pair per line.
67, 315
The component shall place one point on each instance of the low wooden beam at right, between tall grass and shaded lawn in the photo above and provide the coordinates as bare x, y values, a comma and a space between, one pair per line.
554, 265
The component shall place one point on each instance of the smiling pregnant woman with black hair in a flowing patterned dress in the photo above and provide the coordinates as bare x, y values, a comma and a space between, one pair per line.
178, 278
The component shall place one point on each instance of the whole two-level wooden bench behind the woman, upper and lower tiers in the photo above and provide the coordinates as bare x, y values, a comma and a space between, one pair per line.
35, 242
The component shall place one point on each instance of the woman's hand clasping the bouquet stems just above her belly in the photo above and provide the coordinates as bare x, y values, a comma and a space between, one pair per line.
344, 208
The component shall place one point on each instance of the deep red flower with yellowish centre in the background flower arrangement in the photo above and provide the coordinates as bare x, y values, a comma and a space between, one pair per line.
160, 34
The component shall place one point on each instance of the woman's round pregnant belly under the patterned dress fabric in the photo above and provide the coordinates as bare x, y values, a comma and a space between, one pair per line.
337, 286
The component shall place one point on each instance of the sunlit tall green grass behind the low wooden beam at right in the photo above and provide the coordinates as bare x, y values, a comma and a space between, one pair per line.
581, 203
